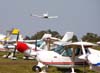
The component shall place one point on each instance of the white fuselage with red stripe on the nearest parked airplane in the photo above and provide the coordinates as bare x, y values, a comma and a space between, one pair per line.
54, 59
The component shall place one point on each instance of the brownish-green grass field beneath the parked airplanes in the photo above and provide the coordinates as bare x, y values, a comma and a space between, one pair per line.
25, 66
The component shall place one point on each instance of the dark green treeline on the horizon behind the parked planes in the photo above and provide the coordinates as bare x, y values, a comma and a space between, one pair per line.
89, 37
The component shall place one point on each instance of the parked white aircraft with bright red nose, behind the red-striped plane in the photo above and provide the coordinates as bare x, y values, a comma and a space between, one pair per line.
32, 48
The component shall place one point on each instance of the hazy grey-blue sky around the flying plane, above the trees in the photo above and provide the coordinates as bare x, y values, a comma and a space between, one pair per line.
78, 16
